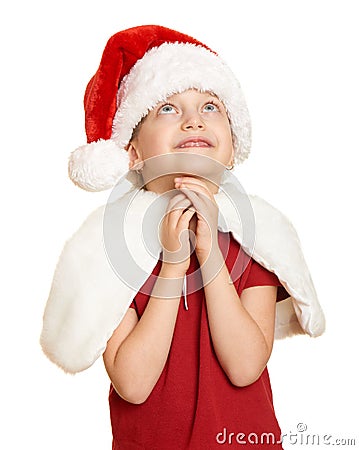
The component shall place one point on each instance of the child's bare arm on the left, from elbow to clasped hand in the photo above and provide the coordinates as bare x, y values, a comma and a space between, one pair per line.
137, 351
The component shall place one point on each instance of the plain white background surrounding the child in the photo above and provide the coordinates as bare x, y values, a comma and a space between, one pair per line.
298, 65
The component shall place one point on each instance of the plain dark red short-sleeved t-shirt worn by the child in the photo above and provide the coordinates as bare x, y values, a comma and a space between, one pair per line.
194, 405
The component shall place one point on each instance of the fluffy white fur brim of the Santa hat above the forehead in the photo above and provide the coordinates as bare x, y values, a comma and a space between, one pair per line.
173, 68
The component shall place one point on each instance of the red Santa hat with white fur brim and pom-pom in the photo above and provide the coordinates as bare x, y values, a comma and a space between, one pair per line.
141, 67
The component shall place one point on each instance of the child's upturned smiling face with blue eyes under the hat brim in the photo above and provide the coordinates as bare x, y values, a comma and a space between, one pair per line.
192, 122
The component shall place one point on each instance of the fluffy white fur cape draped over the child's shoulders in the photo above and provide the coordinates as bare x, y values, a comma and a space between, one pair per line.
109, 258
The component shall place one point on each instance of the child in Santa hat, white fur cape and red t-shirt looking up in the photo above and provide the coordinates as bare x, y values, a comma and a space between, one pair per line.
185, 310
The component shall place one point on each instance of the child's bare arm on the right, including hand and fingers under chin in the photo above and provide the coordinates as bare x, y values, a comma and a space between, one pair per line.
242, 329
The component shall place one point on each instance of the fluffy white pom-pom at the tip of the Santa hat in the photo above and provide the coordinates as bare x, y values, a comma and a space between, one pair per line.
97, 166
